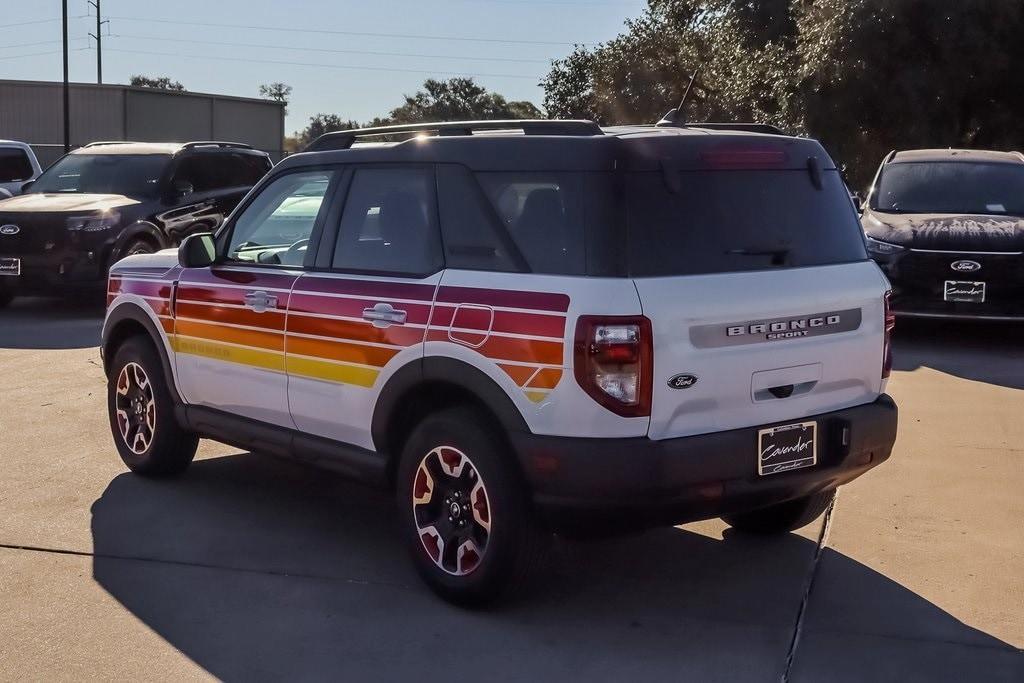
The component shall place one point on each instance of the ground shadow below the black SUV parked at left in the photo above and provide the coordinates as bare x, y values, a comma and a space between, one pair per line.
53, 324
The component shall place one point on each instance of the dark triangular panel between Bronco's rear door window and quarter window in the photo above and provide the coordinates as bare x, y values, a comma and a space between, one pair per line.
474, 240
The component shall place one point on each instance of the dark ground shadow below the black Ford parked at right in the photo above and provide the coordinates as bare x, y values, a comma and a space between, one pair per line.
990, 353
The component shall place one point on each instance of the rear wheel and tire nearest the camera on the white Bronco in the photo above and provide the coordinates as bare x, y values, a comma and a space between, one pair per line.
490, 545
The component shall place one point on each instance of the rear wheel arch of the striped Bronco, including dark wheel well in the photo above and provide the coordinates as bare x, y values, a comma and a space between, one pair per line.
433, 385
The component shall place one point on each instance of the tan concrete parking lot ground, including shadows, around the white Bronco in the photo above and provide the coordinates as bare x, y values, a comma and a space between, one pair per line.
254, 569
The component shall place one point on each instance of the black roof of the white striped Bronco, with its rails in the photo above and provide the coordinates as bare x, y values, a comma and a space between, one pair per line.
550, 146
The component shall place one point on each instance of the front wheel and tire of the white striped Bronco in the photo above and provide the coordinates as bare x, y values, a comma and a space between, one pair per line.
146, 433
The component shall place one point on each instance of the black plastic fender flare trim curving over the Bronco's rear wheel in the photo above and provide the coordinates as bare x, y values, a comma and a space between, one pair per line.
442, 370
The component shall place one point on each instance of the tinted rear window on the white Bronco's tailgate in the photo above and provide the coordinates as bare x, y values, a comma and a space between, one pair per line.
738, 221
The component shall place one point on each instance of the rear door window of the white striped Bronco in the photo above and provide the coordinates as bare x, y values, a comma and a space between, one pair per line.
389, 224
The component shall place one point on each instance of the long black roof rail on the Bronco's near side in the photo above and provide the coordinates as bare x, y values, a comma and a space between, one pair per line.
344, 140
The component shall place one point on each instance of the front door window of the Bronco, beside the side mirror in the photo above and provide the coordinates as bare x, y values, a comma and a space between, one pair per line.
276, 228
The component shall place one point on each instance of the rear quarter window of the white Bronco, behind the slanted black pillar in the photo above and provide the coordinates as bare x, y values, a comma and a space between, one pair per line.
544, 214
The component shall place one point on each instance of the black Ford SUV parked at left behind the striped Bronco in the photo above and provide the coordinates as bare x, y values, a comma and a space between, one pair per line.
110, 200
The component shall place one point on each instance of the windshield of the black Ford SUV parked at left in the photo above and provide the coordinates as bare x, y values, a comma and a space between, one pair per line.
133, 176
